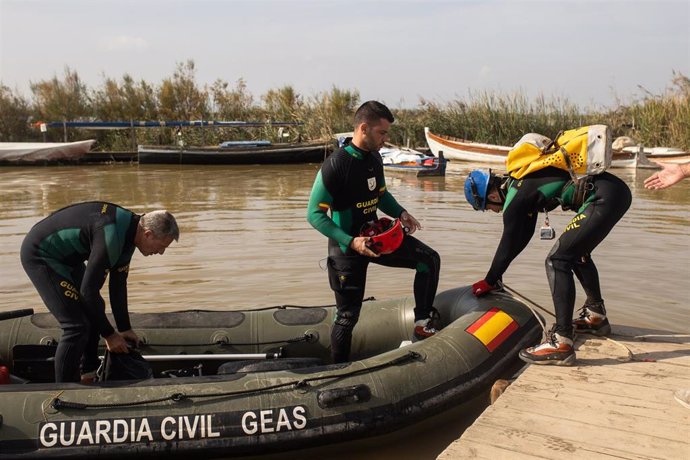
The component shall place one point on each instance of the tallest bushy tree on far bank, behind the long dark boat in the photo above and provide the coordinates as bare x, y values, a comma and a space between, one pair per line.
180, 98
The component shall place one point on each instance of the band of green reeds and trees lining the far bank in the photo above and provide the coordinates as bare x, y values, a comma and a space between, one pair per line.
655, 120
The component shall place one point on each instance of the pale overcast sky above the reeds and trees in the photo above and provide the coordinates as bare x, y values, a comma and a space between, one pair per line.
590, 52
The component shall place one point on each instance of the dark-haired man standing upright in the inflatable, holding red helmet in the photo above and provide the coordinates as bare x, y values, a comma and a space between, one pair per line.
351, 185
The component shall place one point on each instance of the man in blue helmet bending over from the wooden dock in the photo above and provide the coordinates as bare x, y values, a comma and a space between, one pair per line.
601, 203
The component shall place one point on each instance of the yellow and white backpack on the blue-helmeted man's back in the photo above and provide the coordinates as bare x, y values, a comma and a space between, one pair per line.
583, 151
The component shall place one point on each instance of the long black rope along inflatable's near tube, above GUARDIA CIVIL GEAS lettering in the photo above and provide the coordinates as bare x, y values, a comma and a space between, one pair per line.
58, 403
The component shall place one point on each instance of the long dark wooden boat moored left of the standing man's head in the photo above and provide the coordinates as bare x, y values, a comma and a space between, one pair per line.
238, 152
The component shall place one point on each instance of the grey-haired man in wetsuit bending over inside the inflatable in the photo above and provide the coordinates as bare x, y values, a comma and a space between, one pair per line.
68, 256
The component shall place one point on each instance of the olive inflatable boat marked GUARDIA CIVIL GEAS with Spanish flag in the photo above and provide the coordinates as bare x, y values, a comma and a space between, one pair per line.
248, 383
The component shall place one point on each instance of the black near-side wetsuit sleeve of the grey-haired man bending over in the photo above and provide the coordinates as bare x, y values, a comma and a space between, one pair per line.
92, 282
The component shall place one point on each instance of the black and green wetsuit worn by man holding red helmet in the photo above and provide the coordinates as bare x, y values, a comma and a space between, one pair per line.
352, 185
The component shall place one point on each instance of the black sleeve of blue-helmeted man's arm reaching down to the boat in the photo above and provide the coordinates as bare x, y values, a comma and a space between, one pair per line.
518, 228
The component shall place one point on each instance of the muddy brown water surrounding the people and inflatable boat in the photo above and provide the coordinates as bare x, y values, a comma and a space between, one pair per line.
245, 242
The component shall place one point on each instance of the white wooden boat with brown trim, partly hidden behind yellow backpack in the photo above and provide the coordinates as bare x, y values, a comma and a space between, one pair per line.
463, 150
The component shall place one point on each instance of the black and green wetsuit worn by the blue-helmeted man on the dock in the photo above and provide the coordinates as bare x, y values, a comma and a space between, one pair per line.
543, 190
